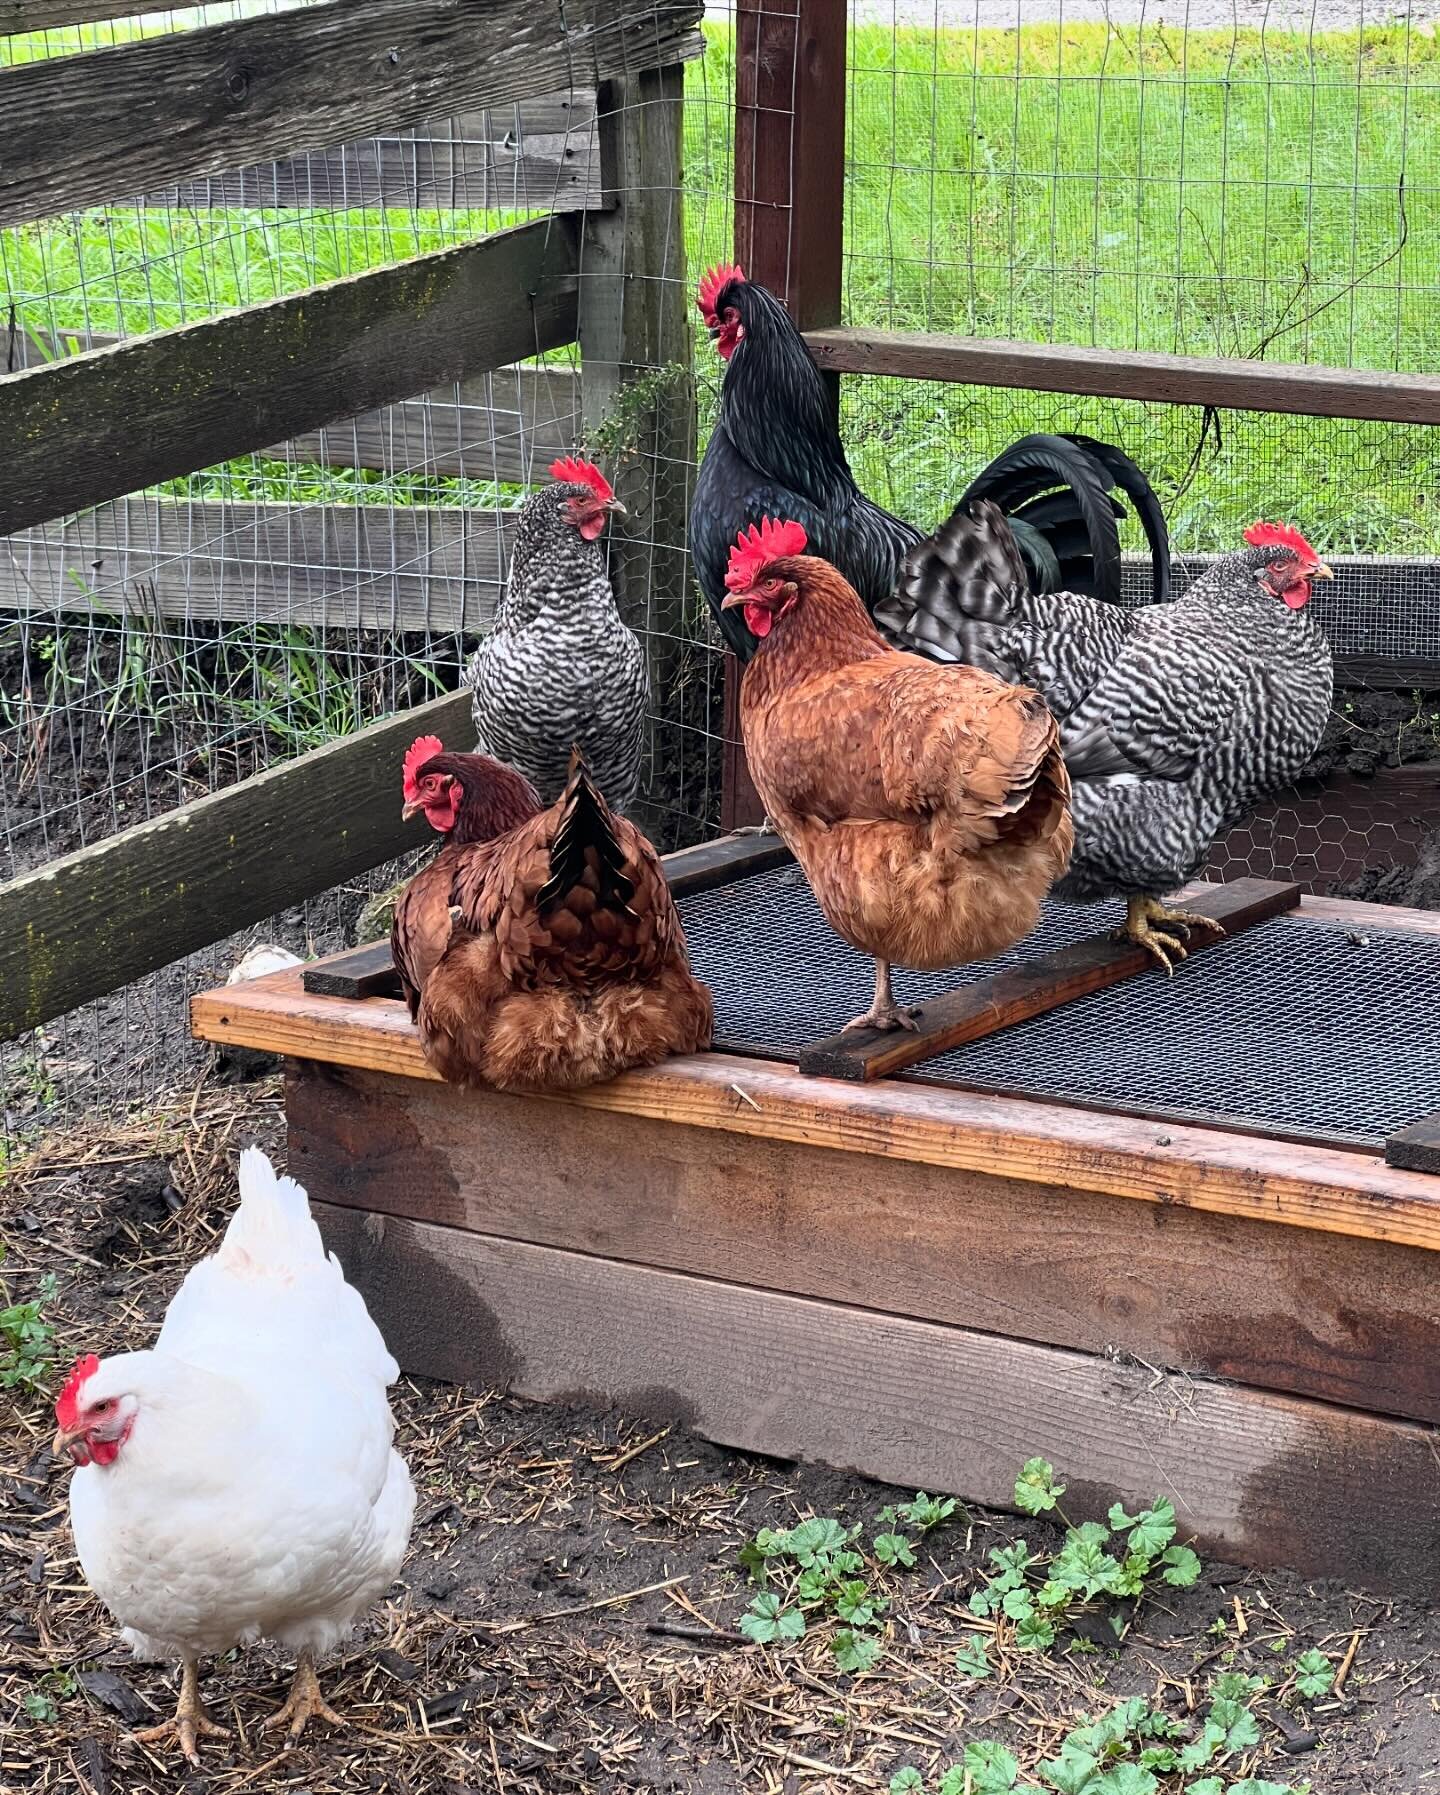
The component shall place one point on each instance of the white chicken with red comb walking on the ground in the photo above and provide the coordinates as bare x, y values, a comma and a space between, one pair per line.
238, 1482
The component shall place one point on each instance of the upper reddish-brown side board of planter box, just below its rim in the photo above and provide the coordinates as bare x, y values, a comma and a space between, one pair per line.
1276, 1308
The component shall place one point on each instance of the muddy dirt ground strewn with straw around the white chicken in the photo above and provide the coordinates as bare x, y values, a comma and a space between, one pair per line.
568, 1613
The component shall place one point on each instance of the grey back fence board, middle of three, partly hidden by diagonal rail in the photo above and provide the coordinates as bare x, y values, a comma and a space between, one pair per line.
505, 426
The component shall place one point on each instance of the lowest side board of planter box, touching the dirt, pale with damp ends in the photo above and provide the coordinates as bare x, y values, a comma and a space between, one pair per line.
909, 1403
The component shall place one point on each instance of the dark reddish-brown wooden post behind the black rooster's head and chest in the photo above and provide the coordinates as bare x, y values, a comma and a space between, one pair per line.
789, 213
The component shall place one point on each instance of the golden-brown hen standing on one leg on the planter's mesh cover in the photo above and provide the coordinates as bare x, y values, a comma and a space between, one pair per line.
927, 805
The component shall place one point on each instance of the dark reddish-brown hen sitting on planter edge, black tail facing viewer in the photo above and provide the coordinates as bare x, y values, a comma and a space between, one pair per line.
549, 956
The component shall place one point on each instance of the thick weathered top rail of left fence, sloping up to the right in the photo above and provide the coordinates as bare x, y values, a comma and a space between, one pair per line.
85, 130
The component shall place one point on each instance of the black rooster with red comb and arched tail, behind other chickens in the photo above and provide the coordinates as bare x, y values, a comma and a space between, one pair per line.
777, 453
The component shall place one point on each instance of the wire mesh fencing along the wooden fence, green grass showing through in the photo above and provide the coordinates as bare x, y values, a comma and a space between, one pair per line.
1234, 179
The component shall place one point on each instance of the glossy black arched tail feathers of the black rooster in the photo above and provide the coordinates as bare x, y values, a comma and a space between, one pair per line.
1058, 498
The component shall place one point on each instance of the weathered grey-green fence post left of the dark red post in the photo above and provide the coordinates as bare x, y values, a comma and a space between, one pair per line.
638, 383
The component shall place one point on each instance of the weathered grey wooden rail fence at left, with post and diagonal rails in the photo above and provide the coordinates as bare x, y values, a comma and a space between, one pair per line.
222, 116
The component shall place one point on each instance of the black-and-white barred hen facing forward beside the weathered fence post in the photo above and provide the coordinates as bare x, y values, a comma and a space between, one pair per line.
559, 669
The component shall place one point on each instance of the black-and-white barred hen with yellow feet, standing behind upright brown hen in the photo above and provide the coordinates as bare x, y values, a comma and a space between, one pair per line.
1175, 719
